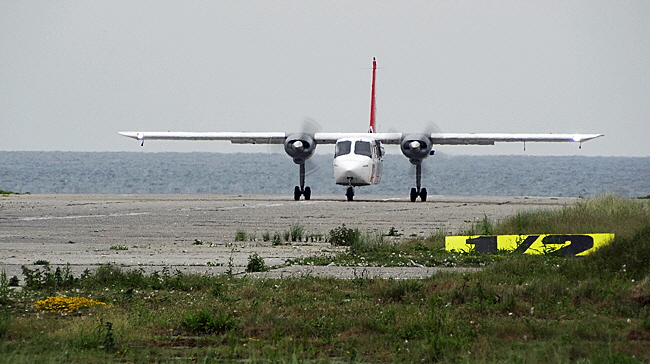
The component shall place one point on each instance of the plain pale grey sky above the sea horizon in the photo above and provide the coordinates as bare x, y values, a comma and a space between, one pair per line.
74, 73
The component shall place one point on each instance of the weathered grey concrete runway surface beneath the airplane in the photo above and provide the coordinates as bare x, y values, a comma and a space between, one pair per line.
160, 230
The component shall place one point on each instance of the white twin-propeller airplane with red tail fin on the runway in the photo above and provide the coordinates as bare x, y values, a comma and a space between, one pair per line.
358, 156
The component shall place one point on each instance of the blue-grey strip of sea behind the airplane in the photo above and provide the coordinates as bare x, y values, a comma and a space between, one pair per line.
269, 173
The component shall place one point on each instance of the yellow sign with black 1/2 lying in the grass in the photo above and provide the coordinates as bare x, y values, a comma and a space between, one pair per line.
567, 245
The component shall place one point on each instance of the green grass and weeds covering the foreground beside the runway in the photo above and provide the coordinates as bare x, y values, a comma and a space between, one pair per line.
518, 309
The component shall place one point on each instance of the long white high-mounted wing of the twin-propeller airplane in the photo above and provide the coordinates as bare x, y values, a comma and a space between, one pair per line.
387, 138
